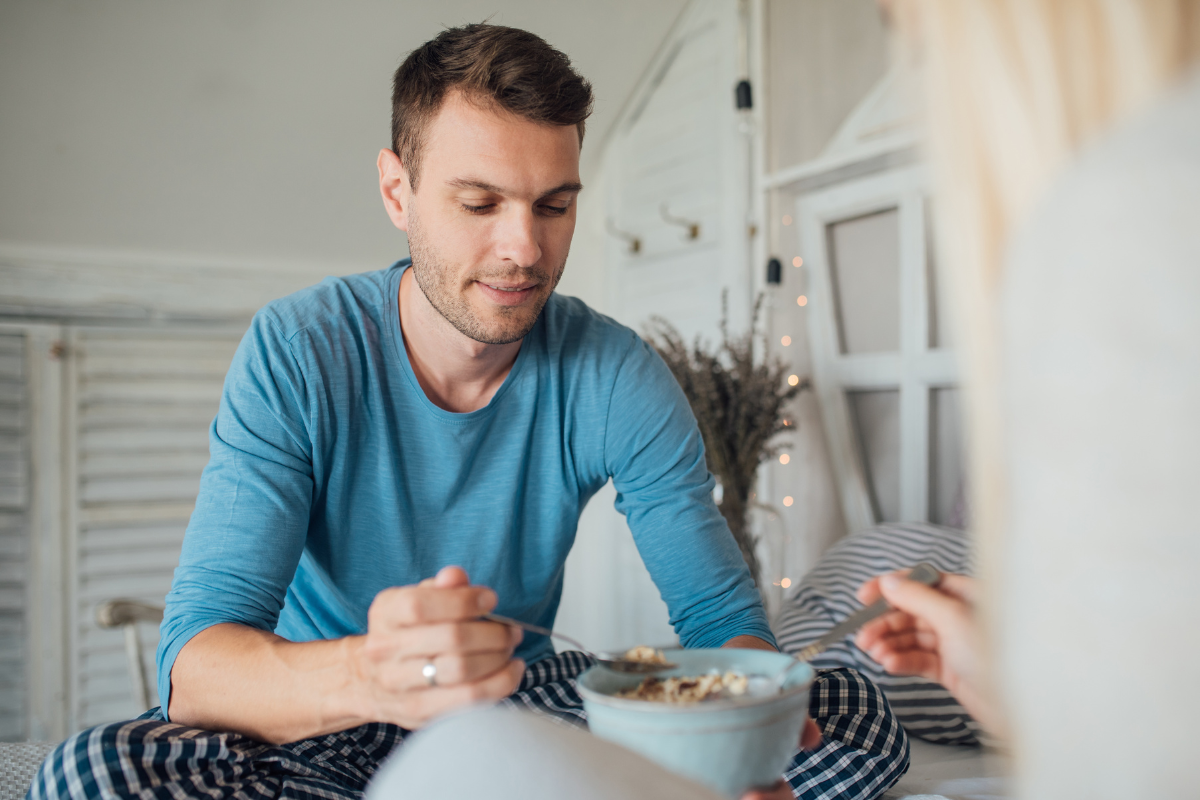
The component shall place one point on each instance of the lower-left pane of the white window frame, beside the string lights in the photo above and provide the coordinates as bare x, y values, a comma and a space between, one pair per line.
877, 420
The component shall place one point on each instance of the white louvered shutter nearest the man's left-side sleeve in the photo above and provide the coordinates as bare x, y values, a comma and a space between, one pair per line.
145, 401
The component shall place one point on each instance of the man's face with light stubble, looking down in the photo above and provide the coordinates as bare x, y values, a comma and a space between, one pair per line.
491, 222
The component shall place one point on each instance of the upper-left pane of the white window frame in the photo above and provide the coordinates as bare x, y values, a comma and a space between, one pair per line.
865, 258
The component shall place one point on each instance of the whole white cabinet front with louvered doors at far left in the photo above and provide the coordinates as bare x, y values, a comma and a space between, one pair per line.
104, 436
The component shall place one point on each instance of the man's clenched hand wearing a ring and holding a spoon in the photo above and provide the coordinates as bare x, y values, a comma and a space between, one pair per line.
435, 623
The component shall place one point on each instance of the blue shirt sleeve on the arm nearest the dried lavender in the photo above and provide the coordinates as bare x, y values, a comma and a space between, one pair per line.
656, 456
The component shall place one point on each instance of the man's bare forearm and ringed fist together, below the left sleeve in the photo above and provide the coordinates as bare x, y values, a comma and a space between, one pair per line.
238, 678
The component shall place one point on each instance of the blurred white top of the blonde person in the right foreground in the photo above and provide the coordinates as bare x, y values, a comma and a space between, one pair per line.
1101, 317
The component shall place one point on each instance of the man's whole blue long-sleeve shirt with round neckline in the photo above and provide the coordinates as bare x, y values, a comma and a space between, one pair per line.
333, 477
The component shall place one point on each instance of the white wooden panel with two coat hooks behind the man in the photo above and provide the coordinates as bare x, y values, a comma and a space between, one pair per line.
680, 143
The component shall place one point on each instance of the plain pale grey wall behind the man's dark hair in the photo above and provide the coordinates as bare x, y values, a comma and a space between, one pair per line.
245, 130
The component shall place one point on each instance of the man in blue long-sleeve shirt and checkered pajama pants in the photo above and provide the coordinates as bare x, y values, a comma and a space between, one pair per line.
383, 437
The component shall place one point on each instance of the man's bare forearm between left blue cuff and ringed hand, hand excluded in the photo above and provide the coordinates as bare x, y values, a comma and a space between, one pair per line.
237, 678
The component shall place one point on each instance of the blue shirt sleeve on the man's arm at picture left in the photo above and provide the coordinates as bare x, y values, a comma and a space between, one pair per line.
249, 528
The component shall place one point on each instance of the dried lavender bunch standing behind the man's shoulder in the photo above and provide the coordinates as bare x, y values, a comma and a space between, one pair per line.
740, 405
